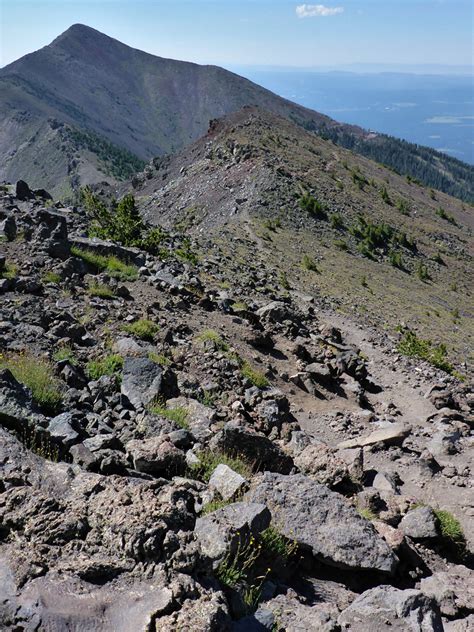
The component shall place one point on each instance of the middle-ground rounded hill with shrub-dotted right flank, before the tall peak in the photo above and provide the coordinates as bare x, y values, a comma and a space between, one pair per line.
372, 243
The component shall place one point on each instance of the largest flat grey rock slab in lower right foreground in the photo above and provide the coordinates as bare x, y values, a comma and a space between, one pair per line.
320, 519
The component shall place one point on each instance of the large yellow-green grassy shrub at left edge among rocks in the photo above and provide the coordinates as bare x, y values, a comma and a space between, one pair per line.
38, 375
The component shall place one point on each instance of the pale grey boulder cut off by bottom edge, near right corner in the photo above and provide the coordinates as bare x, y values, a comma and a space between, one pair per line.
388, 608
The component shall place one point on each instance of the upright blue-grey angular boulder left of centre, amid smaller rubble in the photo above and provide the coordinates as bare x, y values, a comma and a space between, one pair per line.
142, 381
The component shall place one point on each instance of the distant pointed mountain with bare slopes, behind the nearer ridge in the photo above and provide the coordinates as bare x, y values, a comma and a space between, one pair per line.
150, 106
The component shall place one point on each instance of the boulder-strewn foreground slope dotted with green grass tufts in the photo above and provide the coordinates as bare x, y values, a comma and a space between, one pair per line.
156, 473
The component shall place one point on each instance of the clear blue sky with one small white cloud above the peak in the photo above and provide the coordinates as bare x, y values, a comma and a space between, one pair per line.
256, 32
